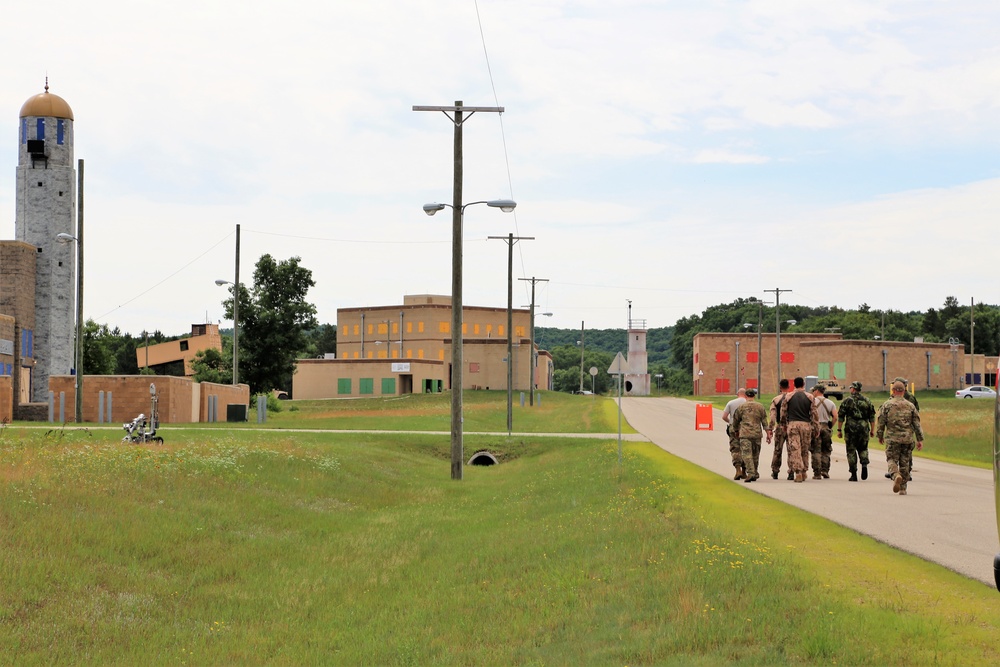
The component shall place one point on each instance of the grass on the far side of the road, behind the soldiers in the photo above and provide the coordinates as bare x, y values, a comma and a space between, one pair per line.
955, 430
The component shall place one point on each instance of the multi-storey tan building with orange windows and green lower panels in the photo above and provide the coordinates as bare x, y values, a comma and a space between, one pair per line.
396, 350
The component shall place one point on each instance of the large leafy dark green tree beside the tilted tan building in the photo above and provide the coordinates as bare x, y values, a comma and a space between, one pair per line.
274, 318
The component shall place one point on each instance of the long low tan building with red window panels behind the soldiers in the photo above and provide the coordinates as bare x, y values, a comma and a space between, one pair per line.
723, 362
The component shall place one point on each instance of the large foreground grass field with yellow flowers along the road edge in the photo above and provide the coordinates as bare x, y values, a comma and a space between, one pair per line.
315, 548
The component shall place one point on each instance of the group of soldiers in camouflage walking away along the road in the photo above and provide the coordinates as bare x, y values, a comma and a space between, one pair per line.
800, 423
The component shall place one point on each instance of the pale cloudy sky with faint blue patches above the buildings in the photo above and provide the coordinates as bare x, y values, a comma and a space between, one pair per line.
675, 154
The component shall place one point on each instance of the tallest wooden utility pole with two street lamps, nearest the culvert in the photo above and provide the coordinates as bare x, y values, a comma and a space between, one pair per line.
505, 205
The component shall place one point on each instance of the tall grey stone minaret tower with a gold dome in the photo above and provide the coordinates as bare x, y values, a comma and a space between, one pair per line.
46, 207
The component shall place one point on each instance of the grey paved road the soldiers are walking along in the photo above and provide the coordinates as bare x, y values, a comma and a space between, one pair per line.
948, 515
